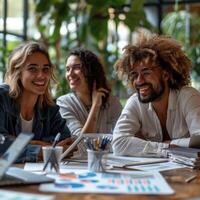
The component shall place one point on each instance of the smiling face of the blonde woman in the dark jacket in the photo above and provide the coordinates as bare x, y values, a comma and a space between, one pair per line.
35, 74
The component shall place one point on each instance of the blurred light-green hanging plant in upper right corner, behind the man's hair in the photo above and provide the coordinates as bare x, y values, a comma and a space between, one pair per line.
185, 27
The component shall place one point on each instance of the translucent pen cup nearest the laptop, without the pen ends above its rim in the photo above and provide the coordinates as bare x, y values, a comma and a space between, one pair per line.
52, 156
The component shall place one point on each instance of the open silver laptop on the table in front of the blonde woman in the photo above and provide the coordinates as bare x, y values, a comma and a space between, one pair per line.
13, 175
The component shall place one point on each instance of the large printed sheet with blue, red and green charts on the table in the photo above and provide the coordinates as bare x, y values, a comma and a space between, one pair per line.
134, 182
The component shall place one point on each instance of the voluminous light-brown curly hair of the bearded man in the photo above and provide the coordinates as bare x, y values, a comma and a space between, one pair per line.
161, 51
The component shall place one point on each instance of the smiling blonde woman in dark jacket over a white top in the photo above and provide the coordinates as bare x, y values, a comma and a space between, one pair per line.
26, 102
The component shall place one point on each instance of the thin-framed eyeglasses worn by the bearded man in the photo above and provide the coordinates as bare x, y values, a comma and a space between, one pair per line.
145, 72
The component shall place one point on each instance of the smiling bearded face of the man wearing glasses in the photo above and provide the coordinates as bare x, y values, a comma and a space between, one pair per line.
149, 81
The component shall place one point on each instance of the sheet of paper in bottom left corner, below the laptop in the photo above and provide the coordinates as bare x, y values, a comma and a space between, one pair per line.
10, 195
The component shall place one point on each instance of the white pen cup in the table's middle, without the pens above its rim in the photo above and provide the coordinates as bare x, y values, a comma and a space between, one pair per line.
96, 162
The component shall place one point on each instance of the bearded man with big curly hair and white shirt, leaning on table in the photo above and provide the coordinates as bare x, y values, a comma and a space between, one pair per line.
164, 110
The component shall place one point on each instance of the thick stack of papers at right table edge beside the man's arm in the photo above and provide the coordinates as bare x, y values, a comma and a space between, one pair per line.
187, 156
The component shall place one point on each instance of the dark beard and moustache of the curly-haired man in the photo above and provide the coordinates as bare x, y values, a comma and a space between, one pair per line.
155, 94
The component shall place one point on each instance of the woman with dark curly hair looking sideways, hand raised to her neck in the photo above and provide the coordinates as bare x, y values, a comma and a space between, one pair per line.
90, 107
